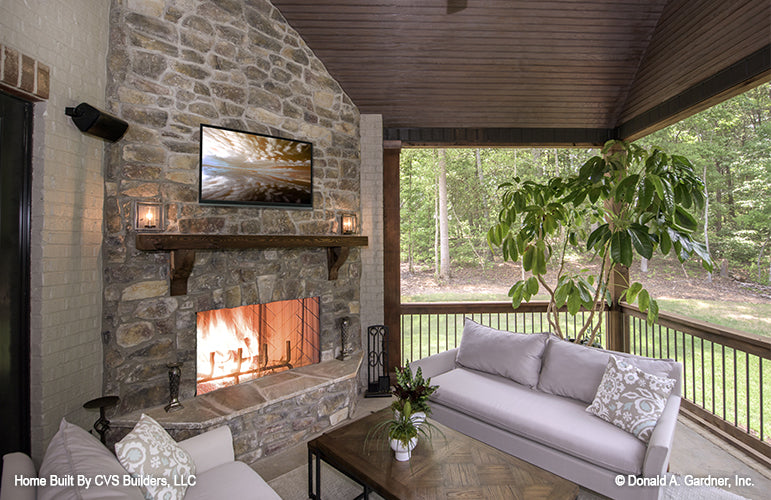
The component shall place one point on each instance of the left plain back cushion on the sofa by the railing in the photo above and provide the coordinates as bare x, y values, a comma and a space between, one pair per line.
516, 356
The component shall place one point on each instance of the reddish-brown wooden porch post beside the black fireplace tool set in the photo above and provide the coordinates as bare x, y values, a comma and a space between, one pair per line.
391, 253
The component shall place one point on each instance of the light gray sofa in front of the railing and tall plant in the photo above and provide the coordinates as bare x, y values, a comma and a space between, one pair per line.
527, 395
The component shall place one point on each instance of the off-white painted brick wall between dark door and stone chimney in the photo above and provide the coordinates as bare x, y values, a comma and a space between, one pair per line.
69, 39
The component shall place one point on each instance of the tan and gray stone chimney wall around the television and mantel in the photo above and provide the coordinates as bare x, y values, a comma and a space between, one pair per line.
173, 65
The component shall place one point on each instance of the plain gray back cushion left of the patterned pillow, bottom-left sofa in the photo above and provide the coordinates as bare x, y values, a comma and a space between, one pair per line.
74, 452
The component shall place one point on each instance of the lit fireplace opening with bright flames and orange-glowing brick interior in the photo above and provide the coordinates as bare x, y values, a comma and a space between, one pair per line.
243, 343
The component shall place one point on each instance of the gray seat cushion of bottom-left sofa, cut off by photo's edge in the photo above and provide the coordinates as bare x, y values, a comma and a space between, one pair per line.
230, 480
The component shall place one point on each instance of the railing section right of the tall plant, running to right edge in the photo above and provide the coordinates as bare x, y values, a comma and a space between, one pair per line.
723, 371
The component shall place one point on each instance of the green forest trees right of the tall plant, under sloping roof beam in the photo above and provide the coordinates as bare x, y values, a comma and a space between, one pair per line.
731, 143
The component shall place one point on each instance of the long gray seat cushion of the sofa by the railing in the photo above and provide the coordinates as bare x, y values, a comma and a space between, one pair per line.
557, 422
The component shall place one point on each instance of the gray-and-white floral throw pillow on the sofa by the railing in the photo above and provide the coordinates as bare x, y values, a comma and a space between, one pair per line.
630, 398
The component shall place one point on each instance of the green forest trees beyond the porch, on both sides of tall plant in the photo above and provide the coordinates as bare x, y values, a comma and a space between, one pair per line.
731, 142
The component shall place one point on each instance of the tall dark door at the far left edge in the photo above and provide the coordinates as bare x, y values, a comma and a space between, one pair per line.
15, 138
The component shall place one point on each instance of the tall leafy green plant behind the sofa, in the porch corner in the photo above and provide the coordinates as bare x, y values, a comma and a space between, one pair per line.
626, 202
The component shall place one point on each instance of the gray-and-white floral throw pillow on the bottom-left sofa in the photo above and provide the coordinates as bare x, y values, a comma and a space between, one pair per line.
161, 467
